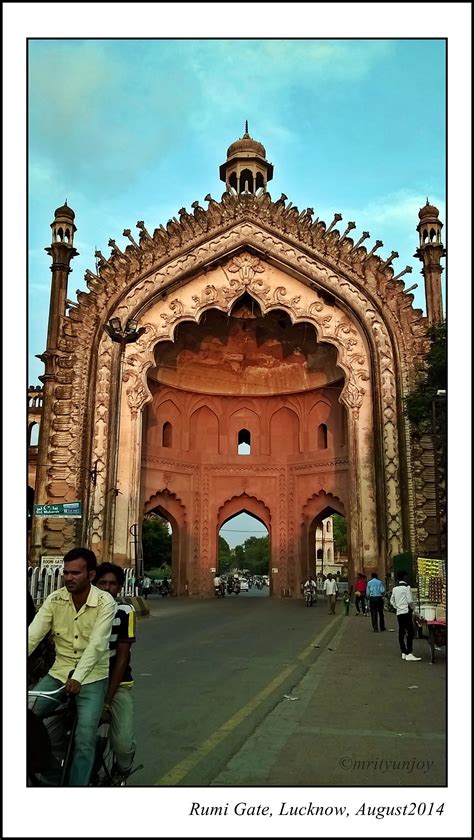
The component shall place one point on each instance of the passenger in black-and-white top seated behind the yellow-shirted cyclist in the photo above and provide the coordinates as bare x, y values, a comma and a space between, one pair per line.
118, 704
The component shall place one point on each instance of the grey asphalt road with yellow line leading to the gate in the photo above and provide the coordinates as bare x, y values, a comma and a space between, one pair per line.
208, 671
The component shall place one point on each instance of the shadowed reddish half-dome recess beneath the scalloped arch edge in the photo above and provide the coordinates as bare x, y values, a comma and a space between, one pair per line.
245, 352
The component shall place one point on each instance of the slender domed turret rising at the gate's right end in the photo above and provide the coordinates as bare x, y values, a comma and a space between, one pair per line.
430, 252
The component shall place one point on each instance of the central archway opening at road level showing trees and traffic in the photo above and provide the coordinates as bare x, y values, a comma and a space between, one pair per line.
244, 555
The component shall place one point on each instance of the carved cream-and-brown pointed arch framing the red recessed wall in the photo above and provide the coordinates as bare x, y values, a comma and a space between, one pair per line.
209, 259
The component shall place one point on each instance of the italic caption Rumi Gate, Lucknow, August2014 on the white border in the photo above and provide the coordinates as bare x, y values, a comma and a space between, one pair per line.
245, 809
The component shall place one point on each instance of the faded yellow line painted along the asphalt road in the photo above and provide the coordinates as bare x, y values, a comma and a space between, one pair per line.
180, 770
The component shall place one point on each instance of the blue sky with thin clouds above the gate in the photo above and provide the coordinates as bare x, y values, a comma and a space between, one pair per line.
135, 129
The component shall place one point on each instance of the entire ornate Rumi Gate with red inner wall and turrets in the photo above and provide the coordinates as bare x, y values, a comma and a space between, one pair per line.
248, 321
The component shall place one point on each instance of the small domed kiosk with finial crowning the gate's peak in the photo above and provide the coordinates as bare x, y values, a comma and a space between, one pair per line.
246, 168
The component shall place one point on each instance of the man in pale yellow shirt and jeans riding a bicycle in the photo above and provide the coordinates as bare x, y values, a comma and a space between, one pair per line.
80, 617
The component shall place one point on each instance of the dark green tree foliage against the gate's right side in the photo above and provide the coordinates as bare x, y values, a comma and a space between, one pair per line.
419, 402
